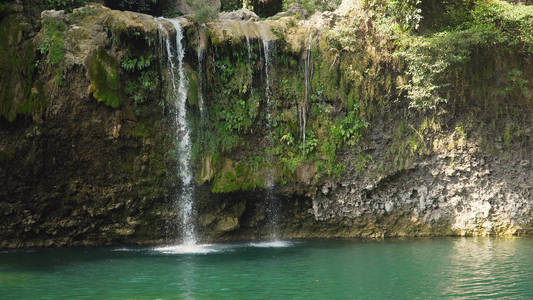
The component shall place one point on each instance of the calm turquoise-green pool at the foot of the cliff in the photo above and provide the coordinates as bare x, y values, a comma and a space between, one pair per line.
462, 268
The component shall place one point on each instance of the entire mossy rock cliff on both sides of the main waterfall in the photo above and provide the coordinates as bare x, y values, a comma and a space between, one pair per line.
346, 136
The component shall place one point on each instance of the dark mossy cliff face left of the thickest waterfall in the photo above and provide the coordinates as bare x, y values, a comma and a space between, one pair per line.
89, 165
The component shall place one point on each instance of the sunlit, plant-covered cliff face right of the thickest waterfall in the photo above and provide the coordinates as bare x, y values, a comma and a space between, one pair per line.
407, 133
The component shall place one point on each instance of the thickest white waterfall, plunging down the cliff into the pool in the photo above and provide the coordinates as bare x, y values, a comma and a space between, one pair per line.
178, 95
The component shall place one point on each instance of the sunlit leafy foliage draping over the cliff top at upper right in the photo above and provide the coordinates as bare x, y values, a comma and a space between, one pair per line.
435, 60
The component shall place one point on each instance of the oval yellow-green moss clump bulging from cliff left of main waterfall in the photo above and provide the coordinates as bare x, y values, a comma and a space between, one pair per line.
103, 72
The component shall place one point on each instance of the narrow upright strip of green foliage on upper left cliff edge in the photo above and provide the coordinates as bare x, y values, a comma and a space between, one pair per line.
54, 32
